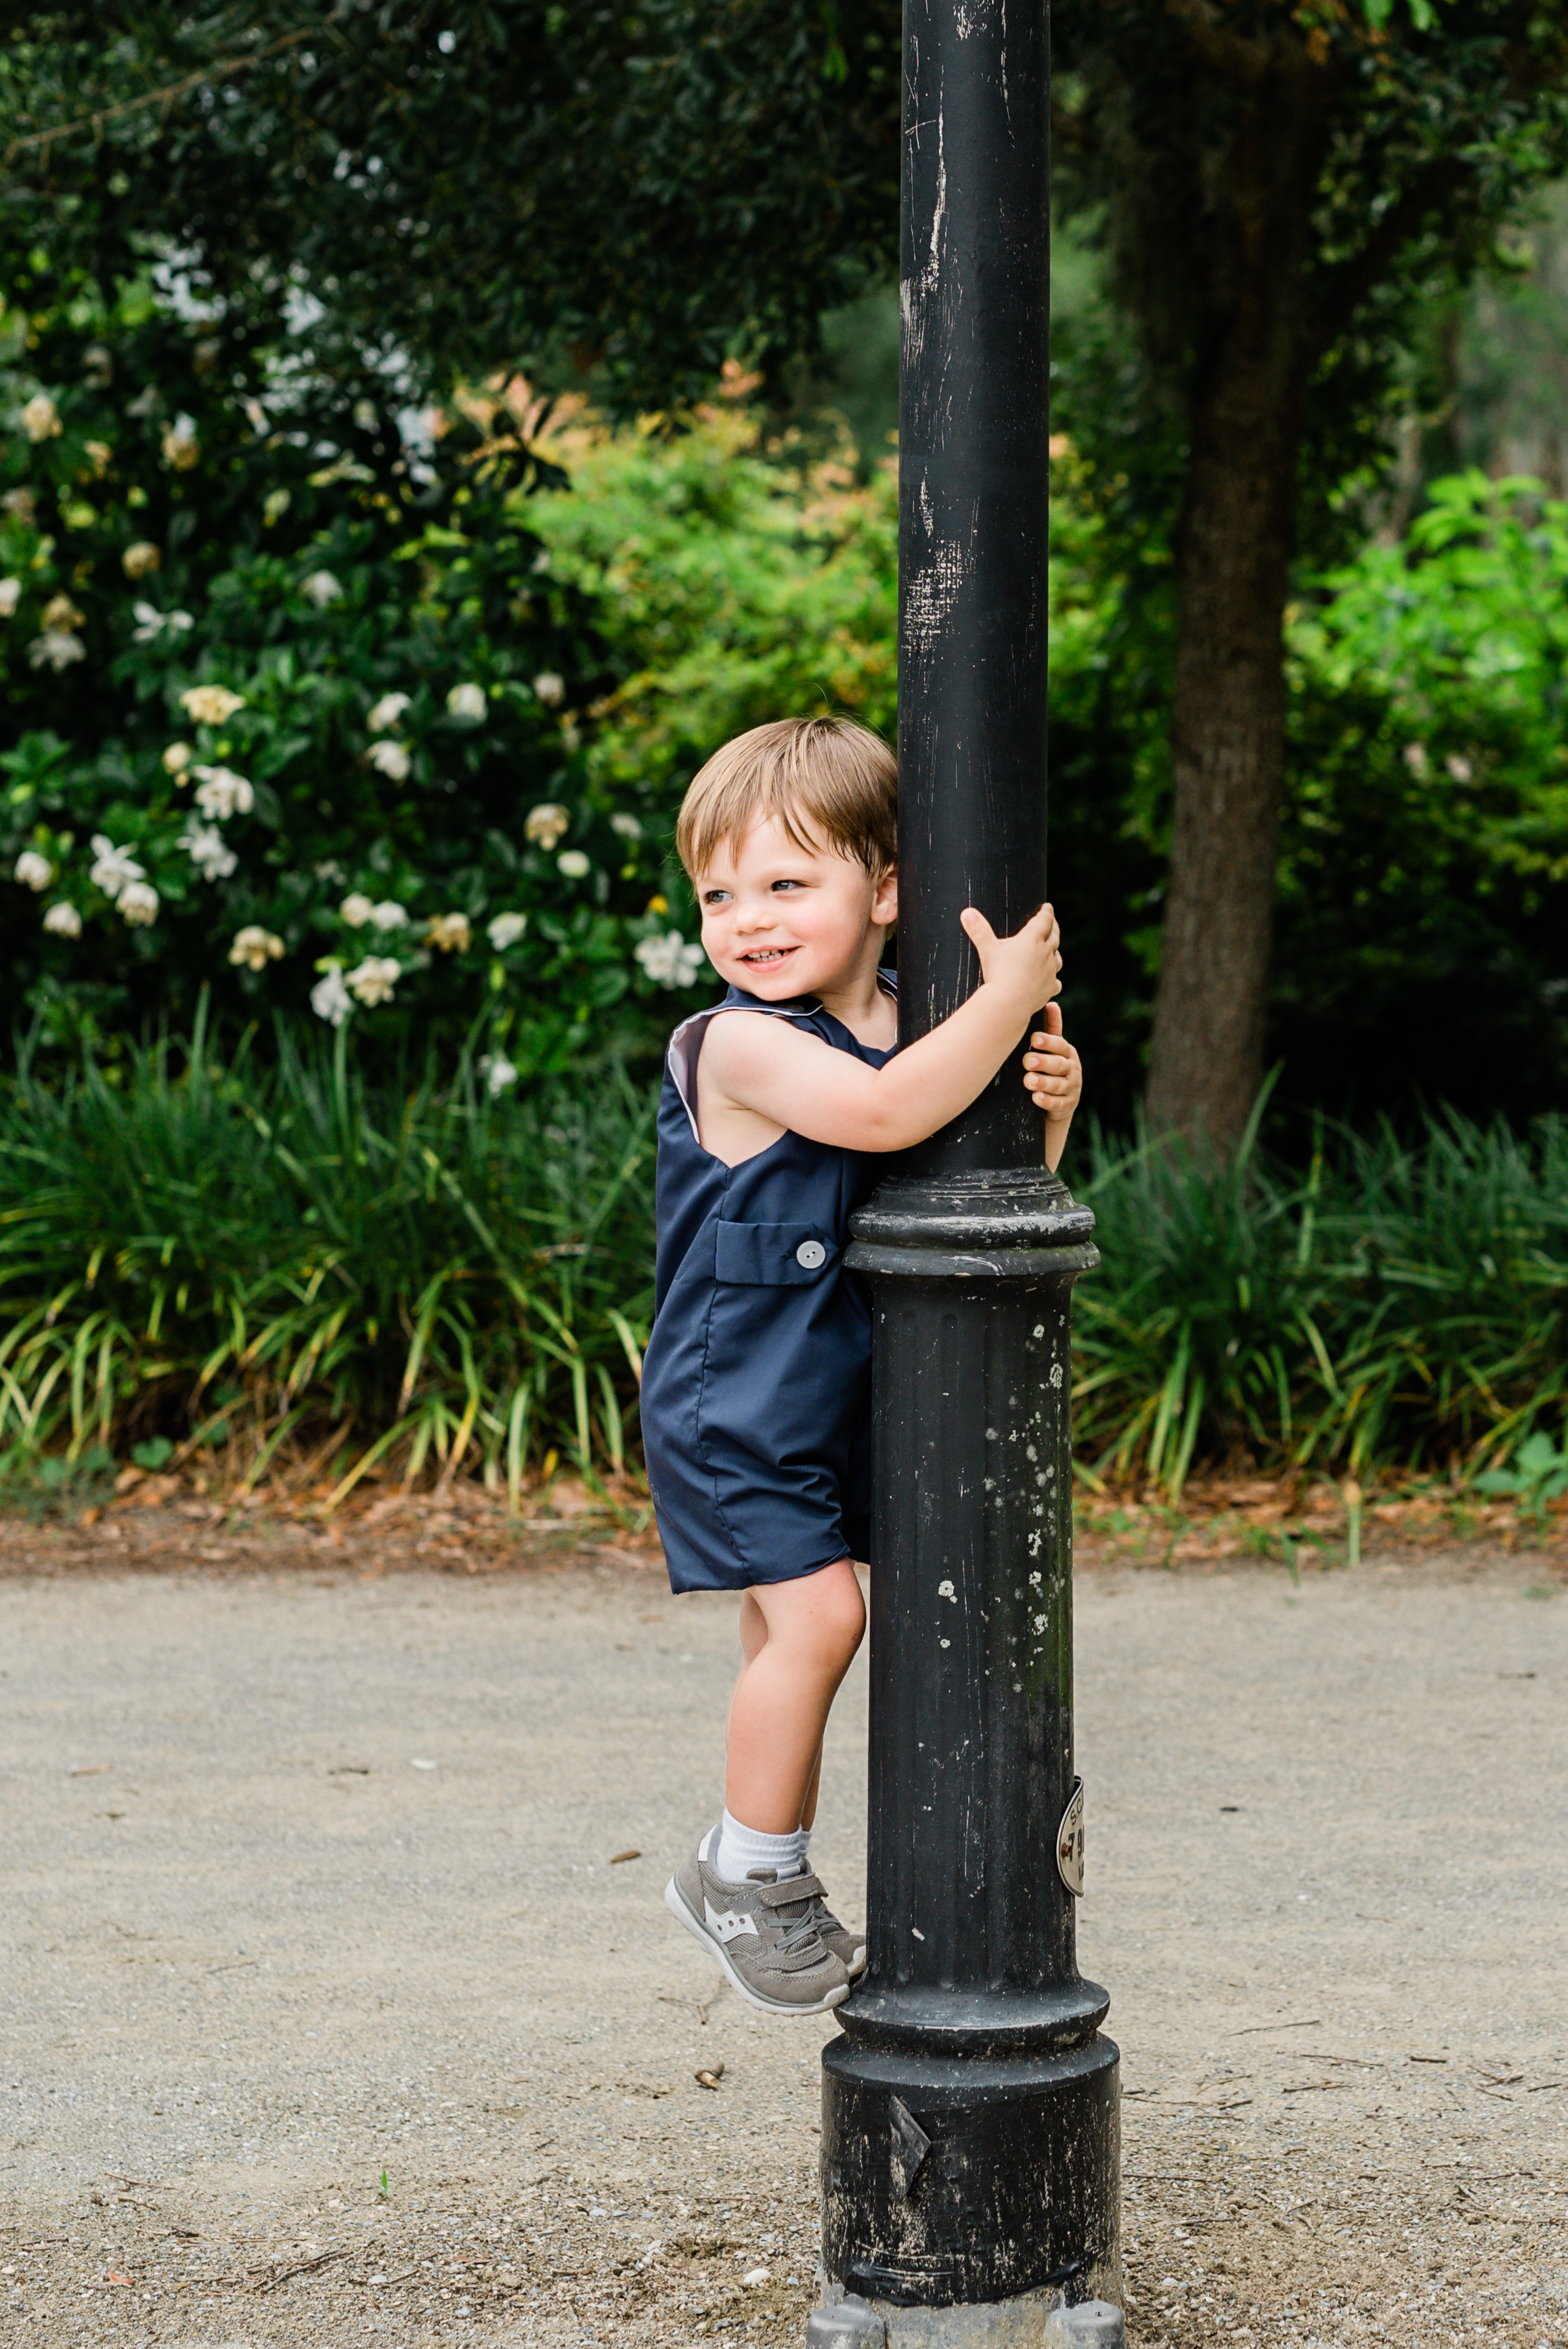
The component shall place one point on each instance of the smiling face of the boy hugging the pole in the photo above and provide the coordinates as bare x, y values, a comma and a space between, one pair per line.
788, 922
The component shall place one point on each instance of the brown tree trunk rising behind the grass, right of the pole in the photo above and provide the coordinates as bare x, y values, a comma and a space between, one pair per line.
1234, 563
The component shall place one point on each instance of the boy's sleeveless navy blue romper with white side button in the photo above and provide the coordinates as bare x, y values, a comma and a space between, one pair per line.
757, 1382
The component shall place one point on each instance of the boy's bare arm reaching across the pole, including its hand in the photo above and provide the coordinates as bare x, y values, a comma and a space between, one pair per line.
827, 1096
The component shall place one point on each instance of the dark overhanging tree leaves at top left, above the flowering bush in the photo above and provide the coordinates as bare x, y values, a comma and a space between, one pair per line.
489, 184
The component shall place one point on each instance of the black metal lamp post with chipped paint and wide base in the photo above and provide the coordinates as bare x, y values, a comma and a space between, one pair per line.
971, 2106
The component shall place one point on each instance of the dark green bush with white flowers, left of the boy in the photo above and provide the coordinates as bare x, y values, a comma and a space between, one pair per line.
295, 708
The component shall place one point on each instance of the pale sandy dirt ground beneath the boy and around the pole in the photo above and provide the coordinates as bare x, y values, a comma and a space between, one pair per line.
342, 2007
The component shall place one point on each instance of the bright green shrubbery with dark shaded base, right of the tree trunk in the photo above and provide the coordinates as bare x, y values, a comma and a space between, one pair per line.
1426, 854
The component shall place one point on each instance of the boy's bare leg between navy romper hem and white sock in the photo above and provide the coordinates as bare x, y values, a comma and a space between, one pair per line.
799, 1641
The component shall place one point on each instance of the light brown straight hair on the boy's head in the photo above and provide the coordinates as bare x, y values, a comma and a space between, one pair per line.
827, 774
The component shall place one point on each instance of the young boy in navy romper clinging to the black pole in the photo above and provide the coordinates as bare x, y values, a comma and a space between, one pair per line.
773, 1131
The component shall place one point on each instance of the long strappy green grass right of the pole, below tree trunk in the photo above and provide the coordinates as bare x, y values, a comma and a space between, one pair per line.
1400, 1305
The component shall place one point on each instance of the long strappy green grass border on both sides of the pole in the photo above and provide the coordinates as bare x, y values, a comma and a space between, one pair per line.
295, 1265
